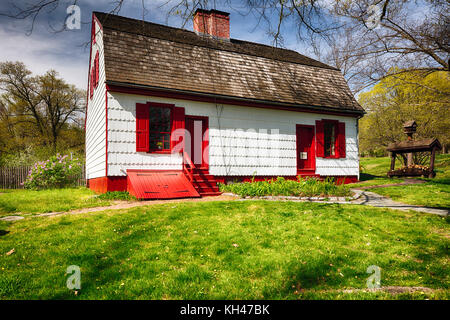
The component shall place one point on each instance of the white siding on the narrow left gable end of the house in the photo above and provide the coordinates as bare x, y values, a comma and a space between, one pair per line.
96, 118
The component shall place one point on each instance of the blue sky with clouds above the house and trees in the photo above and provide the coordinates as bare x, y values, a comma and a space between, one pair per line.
67, 53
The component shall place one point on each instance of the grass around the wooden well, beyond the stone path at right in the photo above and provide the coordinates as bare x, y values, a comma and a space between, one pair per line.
434, 193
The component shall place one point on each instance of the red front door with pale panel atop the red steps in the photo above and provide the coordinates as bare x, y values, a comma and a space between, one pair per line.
196, 143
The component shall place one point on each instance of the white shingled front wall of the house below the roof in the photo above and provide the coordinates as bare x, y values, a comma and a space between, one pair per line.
242, 140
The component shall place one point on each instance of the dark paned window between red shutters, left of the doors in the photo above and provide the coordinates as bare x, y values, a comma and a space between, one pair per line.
160, 124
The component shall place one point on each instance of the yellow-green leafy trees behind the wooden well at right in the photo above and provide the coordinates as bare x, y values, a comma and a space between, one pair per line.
397, 99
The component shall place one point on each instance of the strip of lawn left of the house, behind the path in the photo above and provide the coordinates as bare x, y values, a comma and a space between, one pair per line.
56, 200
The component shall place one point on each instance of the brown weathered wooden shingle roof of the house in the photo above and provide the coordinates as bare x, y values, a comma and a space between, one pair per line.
157, 56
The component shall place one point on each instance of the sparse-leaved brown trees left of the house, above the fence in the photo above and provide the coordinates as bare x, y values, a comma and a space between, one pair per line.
40, 111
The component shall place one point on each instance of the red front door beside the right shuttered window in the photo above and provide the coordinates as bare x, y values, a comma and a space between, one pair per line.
306, 153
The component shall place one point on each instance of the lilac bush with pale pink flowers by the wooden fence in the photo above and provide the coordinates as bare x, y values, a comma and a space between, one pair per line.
56, 172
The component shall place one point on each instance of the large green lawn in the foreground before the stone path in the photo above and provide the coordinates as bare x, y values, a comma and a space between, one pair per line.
226, 250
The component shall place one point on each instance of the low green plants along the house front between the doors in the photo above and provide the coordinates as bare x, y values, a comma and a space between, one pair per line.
302, 187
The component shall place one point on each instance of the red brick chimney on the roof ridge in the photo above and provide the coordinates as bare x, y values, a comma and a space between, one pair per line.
212, 22
